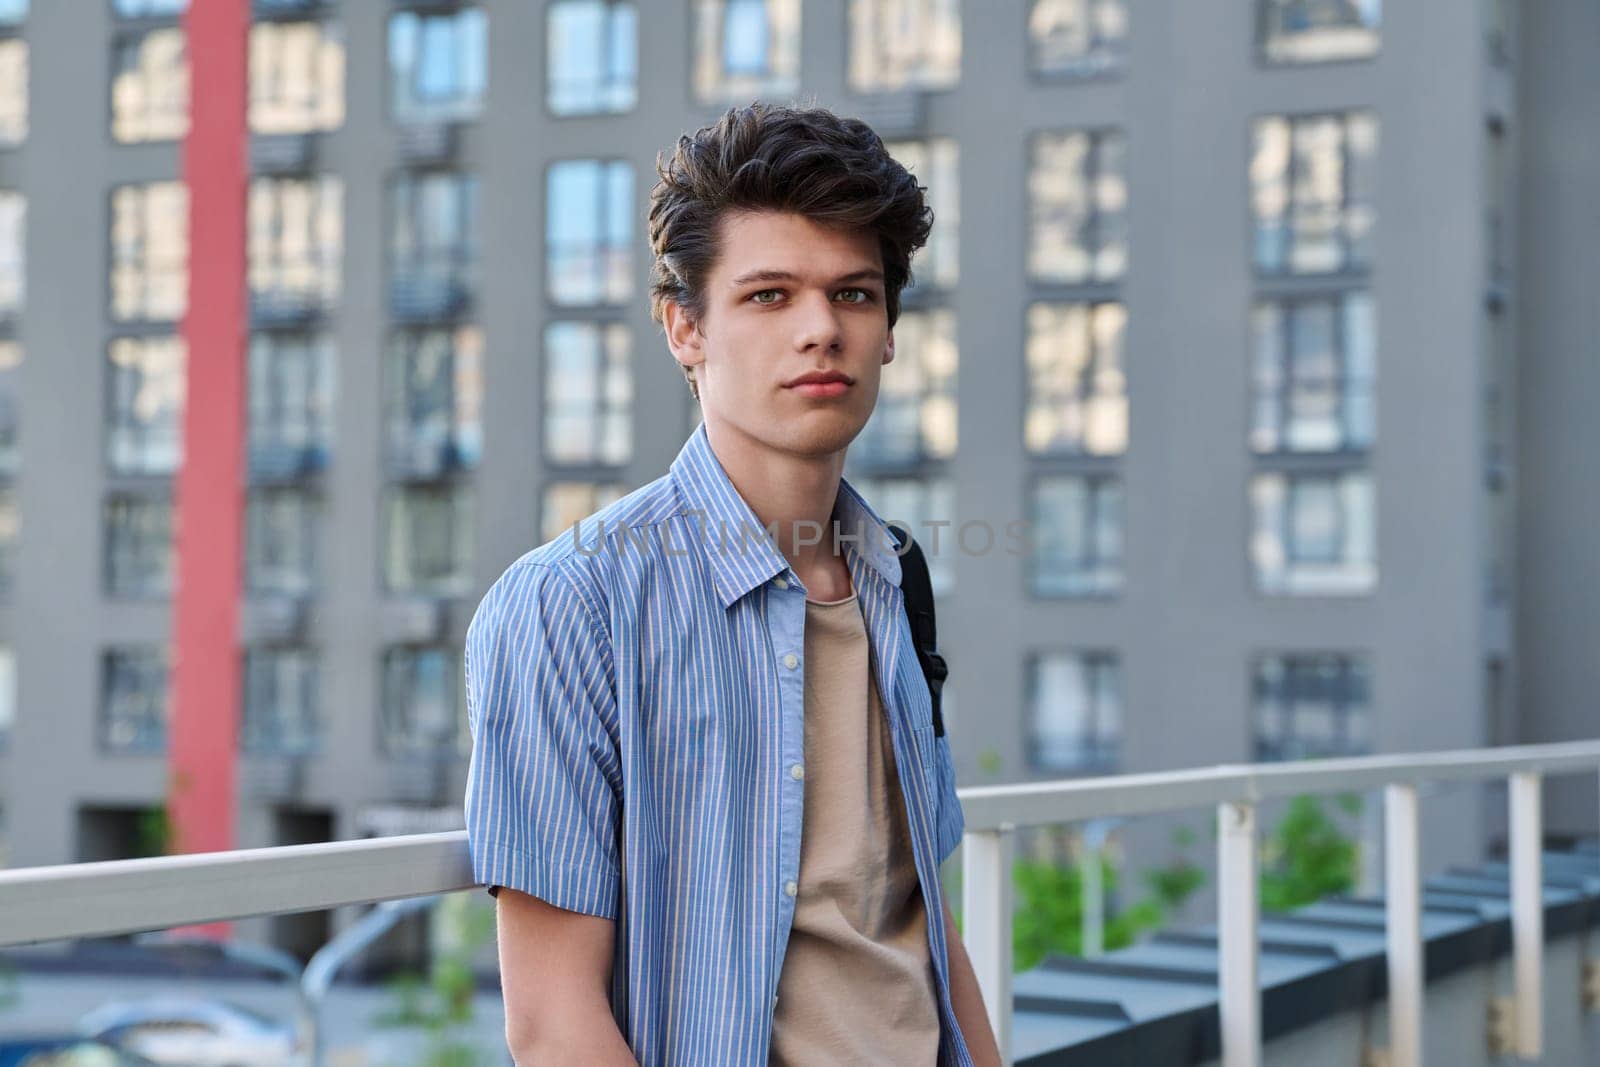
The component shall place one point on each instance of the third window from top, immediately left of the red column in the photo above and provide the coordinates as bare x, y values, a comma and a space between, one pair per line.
146, 406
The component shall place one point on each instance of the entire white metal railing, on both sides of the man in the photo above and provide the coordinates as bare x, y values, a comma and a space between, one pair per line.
113, 898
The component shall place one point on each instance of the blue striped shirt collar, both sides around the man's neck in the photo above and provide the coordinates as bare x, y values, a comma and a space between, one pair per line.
734, 540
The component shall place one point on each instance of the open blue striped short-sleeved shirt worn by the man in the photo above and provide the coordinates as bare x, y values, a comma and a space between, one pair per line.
634, 690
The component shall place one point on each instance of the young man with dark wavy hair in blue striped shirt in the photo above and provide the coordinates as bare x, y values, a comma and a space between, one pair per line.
705, 773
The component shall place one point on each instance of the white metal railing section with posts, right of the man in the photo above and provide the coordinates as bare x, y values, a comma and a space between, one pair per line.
996, 812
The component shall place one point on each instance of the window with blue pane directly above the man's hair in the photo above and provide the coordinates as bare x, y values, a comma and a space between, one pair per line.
746, 49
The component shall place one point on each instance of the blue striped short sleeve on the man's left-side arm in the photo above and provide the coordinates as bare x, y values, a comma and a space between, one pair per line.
545, 783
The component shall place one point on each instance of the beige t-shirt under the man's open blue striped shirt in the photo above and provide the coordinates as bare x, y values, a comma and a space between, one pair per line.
857, 985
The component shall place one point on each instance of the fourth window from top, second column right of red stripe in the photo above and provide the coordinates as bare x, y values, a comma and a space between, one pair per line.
428, 540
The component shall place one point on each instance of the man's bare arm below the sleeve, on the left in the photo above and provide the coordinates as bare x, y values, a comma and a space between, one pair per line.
556, 970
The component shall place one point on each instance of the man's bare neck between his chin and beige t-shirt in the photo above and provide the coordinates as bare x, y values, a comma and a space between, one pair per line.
794, 495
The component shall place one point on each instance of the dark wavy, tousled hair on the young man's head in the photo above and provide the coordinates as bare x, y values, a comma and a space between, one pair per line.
769, 158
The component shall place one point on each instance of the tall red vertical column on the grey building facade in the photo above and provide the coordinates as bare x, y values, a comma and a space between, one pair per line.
210, 492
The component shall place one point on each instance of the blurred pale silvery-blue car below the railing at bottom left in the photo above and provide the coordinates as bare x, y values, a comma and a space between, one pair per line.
194, 1033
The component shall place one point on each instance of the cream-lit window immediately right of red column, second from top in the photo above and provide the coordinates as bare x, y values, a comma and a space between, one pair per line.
297, 244
